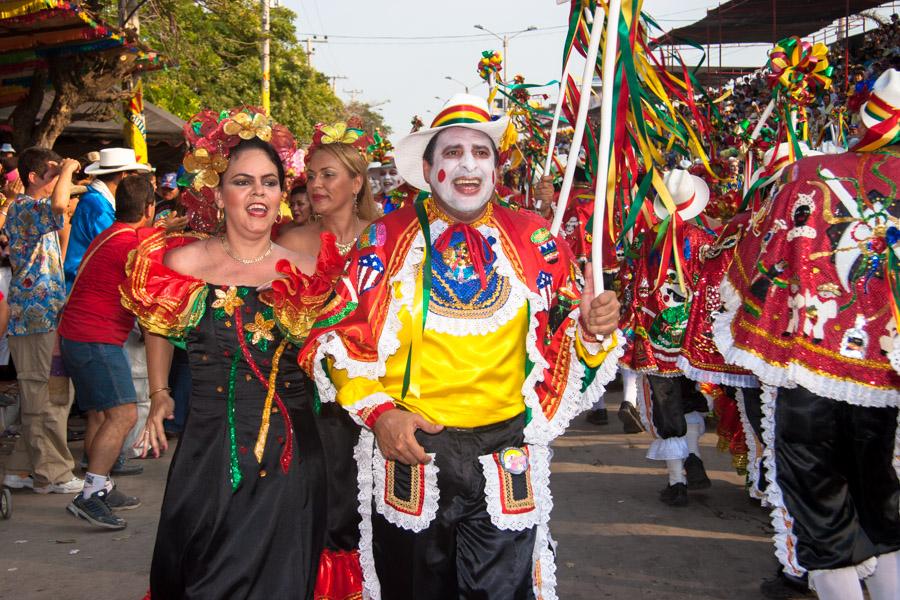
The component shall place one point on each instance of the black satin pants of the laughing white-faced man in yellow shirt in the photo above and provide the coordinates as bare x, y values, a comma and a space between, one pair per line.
461, 554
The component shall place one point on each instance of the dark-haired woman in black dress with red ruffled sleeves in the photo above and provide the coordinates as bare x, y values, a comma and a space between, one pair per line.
244, 509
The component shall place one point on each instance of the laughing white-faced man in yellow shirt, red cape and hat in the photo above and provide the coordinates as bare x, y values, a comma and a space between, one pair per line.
466, 343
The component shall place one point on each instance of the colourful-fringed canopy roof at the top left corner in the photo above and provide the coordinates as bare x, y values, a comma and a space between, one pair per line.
32, 31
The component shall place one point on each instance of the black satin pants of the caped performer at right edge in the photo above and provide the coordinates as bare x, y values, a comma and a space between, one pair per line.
834, 467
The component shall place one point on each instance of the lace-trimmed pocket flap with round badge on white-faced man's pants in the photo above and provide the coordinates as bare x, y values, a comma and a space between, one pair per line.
509, 486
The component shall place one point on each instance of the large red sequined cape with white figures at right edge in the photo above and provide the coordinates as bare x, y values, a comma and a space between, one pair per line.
809, 295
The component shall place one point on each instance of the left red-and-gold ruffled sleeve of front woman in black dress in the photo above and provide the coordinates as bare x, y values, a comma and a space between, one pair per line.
165, 301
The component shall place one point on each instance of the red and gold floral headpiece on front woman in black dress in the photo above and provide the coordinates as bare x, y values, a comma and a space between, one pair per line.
211, 137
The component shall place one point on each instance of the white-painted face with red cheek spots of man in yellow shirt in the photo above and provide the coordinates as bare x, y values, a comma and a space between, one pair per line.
462, 175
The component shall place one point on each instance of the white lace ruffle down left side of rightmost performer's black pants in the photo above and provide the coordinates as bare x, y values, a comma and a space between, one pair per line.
782, 521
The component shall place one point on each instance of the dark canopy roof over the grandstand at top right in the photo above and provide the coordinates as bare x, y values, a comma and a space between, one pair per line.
764, 21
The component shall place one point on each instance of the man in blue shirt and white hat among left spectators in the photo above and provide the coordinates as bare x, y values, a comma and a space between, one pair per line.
96, 210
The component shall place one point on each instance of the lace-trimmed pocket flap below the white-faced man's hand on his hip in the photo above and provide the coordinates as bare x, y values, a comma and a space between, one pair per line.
407, 496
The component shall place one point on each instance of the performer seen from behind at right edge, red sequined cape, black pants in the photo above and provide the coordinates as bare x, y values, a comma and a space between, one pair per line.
810, 308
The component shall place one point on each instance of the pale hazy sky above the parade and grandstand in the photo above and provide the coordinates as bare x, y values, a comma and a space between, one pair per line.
396, 54
